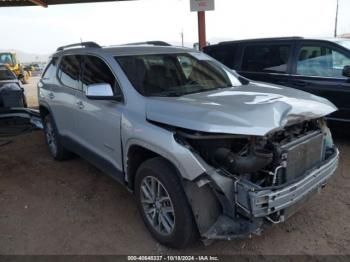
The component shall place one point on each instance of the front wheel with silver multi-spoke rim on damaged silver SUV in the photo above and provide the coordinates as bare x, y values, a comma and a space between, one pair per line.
163, 204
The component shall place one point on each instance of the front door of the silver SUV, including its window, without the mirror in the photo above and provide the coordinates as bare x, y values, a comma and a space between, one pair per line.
99, 121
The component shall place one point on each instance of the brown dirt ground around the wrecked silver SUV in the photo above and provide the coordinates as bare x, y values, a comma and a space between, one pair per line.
50, 207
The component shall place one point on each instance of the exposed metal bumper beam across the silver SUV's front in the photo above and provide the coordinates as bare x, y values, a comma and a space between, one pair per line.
257, 202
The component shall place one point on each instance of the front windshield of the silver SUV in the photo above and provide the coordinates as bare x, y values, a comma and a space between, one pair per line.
175, 74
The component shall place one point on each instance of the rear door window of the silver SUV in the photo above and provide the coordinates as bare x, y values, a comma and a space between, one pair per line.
69, 71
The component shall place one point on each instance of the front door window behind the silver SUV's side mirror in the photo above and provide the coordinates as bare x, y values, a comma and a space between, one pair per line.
96, 71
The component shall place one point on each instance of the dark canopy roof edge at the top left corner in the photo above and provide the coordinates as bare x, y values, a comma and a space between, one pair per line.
45, 3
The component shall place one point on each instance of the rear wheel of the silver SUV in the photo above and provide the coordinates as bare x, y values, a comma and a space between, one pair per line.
53, 142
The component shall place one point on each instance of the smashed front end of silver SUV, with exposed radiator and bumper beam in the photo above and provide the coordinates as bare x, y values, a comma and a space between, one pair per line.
256, 180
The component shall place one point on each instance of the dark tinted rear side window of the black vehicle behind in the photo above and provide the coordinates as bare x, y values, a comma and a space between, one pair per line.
266, 58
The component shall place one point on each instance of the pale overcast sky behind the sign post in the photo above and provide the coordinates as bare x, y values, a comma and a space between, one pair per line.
40, 30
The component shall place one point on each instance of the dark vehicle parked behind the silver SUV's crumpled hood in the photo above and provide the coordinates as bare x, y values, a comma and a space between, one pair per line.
318, 66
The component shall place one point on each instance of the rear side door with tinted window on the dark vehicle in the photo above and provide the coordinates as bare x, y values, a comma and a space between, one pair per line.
266, 61
